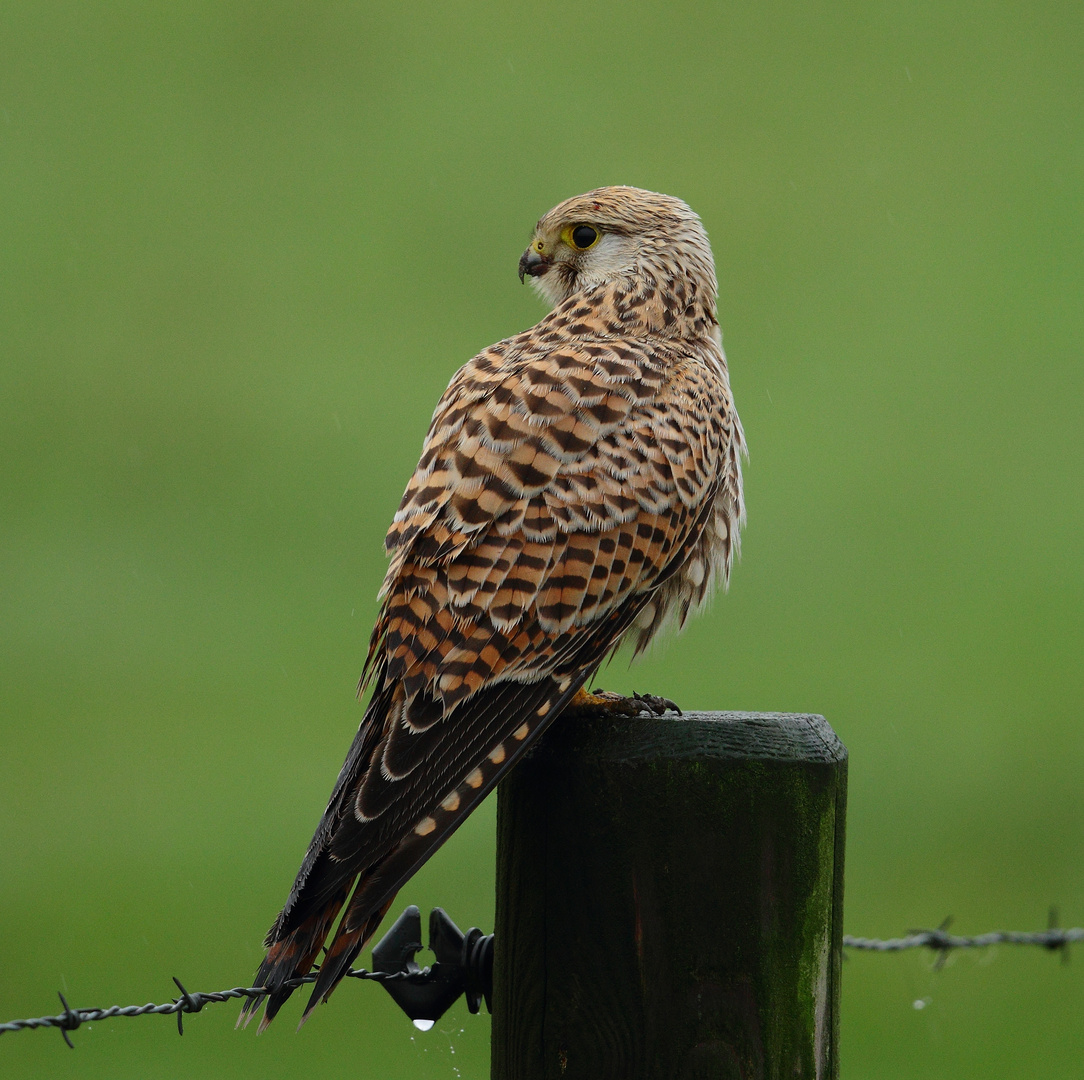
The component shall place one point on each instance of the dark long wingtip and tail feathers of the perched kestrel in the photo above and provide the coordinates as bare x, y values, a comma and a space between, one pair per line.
401, 794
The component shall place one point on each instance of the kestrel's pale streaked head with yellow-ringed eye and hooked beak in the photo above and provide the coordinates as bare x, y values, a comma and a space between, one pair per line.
612, 234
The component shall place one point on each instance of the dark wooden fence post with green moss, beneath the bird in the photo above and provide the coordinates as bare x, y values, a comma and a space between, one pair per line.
669, 902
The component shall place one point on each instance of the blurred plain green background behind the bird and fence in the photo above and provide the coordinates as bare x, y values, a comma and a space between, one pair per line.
243, 249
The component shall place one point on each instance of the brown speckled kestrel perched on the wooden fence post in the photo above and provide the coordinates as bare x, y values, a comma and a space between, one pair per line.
580, 485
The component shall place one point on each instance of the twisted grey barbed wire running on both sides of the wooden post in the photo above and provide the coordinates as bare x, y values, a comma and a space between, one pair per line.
940, 942
